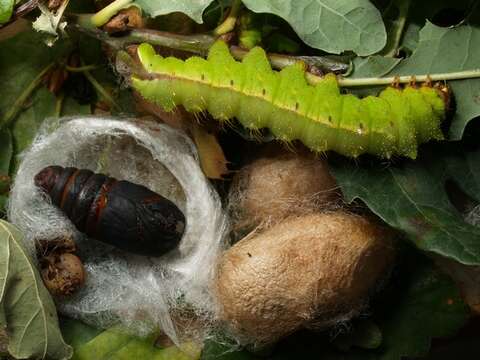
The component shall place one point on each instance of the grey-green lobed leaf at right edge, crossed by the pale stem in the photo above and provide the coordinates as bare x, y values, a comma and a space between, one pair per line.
443, 50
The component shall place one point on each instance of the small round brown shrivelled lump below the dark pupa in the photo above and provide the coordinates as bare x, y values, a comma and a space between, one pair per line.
62, 274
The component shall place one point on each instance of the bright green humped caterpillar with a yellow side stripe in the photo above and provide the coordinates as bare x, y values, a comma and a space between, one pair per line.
393, 123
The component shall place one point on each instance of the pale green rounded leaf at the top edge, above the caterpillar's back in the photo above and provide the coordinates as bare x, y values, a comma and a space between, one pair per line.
334, 26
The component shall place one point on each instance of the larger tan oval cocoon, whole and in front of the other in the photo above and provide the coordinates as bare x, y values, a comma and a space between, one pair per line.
313, 269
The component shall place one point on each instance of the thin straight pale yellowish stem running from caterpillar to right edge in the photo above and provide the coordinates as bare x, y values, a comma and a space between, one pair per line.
459, 75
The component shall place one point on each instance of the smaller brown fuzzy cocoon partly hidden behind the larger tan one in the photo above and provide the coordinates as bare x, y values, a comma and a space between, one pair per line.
280, 183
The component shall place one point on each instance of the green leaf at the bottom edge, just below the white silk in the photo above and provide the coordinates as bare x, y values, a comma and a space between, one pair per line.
114, 345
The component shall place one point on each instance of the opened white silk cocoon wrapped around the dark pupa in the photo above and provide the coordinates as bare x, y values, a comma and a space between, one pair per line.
141, 293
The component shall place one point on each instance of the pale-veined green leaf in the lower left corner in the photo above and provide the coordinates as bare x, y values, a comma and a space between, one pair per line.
27, 309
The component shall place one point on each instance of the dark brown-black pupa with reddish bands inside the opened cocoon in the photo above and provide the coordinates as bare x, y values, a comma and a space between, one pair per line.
123, 214
